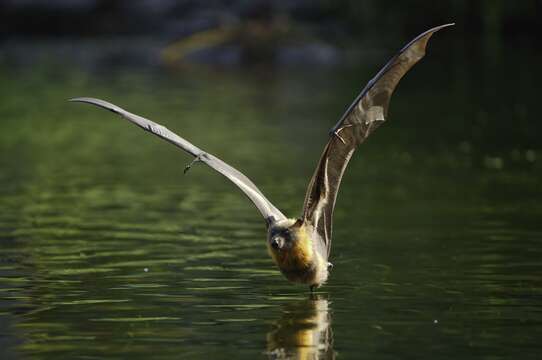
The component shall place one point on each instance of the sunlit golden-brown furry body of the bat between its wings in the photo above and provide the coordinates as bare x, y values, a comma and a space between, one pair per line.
304, 260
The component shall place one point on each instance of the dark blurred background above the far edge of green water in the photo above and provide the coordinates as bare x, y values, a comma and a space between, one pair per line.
227, 32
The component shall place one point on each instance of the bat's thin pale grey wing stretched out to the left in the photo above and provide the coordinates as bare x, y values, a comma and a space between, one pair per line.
269, 212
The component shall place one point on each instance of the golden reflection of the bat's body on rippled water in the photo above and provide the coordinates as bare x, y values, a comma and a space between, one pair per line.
303, 332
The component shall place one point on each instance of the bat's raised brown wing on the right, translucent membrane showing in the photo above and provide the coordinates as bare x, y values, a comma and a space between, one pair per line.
365, 114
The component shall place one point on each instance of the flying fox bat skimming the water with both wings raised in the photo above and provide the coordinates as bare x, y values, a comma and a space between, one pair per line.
301, 246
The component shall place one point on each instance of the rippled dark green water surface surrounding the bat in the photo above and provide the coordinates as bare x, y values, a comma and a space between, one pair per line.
108, 250
